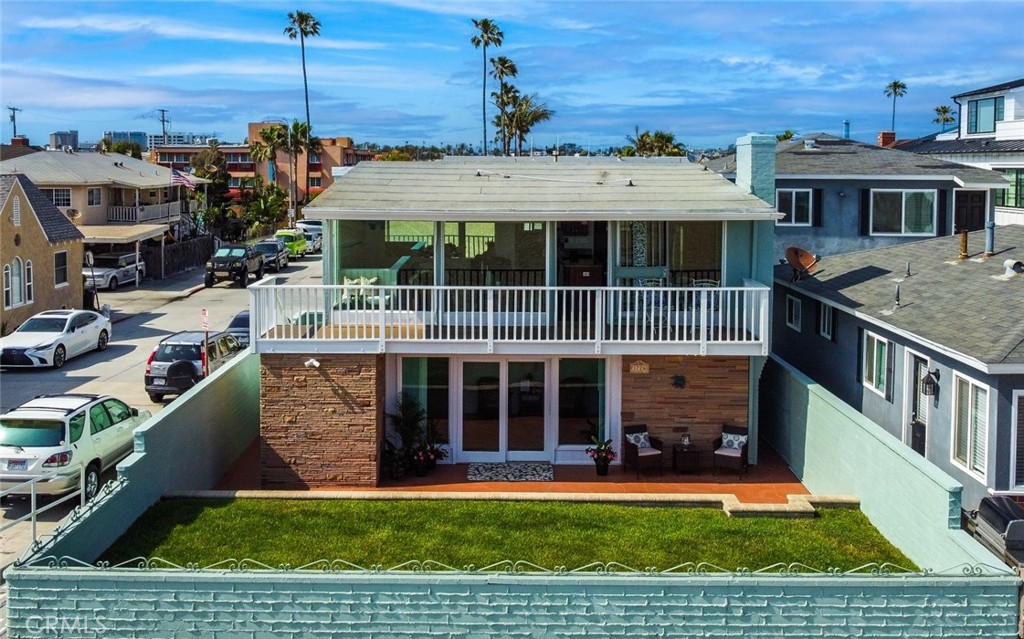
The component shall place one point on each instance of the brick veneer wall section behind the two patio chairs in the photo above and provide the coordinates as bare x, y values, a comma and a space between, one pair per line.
715, 394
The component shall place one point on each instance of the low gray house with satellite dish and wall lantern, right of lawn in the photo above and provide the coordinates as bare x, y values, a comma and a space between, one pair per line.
959, 323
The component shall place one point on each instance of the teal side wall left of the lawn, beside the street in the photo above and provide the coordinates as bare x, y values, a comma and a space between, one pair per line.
188, 446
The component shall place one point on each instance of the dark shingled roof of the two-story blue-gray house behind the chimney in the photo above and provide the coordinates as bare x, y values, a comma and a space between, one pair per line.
834, 157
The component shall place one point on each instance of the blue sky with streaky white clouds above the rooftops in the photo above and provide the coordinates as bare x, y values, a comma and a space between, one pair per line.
398, 71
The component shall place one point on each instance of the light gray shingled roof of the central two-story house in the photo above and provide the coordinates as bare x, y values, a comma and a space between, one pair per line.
537, 189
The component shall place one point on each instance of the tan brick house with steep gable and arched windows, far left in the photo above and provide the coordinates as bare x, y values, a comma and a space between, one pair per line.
40, 251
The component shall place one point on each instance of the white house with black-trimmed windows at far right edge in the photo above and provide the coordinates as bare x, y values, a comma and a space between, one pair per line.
991, 137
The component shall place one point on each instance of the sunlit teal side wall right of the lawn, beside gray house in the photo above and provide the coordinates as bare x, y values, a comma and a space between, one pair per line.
835, 450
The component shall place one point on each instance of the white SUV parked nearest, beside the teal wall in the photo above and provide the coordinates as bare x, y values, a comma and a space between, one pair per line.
61, 435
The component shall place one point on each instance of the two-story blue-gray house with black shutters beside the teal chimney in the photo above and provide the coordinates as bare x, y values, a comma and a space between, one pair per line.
840, 196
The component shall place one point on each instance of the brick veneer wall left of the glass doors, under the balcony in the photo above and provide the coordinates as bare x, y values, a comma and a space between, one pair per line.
321, 428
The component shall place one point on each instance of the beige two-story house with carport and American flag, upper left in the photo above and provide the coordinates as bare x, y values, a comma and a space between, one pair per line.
118, 202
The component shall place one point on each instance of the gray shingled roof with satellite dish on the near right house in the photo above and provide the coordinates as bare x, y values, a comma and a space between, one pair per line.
970, 307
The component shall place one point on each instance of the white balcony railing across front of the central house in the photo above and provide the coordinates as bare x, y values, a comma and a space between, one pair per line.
510, 320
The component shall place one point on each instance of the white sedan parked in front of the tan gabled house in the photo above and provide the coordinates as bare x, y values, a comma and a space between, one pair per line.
54, 337
